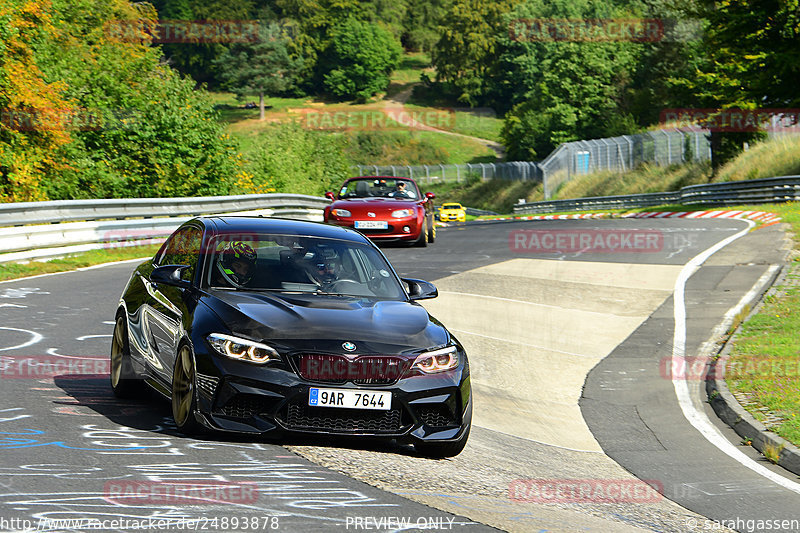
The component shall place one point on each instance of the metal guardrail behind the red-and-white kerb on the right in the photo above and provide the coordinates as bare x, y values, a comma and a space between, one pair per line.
765, 190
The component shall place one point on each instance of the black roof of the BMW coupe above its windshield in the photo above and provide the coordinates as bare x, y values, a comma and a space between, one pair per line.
280, 226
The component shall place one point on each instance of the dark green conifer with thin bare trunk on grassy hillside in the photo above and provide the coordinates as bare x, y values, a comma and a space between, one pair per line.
263, 67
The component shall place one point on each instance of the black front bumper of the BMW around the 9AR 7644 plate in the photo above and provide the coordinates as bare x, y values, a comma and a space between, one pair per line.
238, 397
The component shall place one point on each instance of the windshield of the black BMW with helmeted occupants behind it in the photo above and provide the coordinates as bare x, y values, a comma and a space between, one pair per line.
288, 263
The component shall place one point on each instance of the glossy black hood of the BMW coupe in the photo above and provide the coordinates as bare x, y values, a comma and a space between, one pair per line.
320, 323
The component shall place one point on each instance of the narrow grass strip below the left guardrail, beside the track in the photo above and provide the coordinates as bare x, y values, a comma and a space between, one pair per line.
72, 262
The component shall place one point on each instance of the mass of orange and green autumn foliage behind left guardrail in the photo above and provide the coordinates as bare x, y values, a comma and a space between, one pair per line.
90, 112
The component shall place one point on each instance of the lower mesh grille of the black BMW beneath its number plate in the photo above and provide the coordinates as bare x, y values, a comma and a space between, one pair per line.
303, 417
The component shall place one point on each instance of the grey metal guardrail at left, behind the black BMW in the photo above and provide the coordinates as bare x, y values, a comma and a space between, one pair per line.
38, 230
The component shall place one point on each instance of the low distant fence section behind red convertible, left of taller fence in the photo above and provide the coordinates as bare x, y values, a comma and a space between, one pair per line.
515, 170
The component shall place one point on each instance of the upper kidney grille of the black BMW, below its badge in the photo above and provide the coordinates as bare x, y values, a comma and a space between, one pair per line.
364, 370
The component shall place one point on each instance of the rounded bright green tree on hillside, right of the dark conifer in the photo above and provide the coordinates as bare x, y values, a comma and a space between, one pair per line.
362, 57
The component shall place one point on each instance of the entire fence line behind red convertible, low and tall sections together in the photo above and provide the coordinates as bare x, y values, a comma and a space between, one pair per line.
662, 147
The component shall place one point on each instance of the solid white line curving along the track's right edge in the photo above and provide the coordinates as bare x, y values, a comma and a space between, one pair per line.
697, 418
